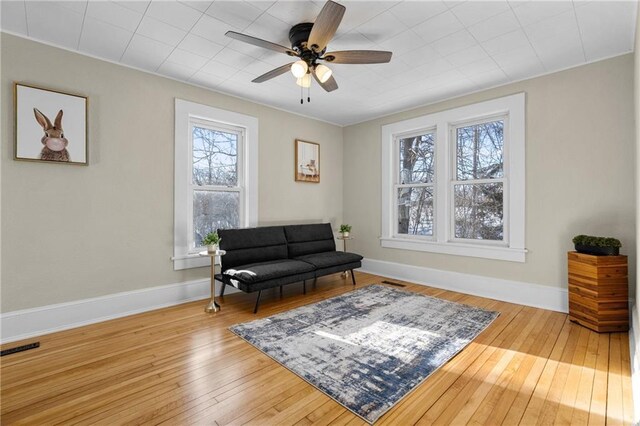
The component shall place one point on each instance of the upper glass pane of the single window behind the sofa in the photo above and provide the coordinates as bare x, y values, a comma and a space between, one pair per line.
215, 157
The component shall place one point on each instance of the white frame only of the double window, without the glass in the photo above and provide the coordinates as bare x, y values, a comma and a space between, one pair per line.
513, 246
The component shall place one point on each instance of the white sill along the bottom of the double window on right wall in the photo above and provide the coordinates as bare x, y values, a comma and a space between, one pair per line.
457, 249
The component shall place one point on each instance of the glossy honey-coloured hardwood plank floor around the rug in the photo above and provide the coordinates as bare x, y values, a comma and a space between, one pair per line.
179, 365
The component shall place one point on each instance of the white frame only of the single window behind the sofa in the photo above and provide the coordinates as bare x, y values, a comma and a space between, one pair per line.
186, 114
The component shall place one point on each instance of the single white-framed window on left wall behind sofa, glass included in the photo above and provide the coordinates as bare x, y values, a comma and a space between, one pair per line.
215, 176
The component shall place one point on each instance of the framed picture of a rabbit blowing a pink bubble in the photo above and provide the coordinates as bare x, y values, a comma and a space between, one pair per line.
51, 126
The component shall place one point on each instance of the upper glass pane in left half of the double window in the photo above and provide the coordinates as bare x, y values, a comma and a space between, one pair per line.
416, 159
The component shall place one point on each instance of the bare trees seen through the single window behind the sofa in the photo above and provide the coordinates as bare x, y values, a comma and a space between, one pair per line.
216, 196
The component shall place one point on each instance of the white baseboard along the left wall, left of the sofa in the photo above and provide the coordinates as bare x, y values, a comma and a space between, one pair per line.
27, 323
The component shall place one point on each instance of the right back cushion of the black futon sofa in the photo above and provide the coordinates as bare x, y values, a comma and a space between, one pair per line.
308, 239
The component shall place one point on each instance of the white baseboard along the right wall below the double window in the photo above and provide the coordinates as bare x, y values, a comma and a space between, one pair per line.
522, 293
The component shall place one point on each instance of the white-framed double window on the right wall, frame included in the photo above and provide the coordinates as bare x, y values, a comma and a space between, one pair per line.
453, 181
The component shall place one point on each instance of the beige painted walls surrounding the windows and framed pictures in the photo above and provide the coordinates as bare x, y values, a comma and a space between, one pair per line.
70, 233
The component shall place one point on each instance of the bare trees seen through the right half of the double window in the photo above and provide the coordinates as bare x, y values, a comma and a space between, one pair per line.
478, 189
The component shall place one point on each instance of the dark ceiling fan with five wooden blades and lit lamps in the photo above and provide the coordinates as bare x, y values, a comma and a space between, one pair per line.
309, 44
